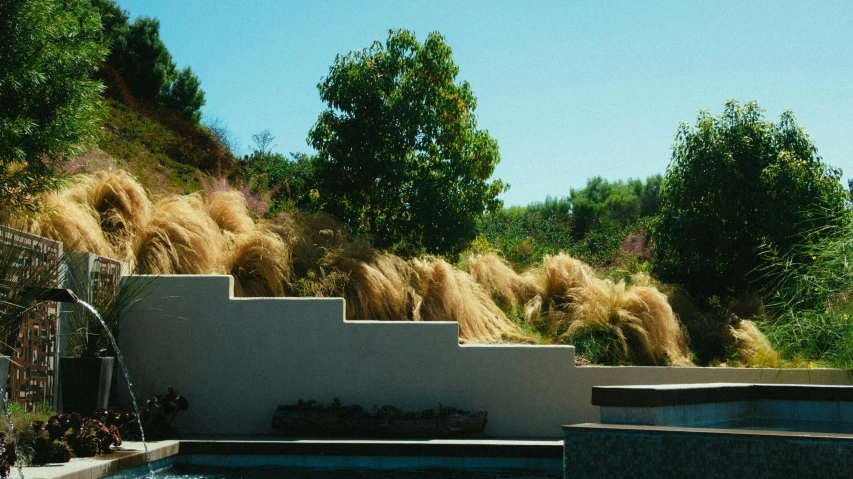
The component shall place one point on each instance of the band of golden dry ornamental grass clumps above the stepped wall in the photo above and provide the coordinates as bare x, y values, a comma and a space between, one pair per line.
112, 215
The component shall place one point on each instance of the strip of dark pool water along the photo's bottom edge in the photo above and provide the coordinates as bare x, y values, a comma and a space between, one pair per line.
190, 471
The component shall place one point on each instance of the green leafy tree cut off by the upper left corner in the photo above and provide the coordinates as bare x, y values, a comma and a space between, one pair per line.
48, 101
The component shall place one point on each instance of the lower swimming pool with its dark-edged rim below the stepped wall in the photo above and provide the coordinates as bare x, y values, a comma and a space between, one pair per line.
282, 458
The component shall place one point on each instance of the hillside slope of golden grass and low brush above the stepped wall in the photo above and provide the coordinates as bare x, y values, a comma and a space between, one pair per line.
147, 195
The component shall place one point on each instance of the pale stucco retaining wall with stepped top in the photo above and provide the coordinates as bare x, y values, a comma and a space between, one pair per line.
236, 359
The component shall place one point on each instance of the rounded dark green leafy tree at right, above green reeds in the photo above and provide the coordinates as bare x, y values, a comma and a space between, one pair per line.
737, 181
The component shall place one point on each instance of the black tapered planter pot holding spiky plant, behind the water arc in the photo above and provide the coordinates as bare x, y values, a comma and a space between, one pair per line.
85, 383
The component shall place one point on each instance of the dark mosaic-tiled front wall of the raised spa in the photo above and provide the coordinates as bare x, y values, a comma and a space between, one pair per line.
610, 454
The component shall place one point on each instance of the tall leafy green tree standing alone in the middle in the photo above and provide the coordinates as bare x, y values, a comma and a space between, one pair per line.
400, 157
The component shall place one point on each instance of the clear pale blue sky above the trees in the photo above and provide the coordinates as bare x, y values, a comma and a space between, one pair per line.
570, 90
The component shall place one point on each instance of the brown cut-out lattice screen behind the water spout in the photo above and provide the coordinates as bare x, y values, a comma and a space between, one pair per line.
32, 372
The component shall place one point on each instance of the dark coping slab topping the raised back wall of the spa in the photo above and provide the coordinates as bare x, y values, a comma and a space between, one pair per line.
658, 395
